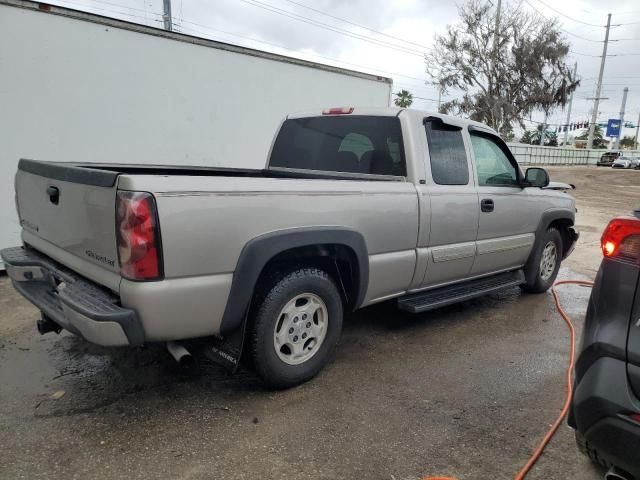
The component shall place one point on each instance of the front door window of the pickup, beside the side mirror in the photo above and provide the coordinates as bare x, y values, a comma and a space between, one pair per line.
493, 165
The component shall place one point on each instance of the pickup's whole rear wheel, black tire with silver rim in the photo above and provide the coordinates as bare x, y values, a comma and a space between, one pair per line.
296, 327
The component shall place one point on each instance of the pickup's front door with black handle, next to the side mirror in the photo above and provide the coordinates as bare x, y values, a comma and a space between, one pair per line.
508, 214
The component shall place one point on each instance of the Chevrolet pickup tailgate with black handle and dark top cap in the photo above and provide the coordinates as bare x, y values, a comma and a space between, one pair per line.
71, 208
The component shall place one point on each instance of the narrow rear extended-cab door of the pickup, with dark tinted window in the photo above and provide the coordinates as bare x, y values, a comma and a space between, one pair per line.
450, 186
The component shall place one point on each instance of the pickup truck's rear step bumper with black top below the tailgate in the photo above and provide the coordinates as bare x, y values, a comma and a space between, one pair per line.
73, 302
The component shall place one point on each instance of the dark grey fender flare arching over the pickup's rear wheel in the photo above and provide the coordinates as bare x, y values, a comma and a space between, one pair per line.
260, 250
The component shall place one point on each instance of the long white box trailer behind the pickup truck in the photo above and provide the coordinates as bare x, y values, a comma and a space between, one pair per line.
79, 87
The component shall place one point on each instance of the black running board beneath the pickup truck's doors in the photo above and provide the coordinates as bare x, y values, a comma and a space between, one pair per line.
440, 297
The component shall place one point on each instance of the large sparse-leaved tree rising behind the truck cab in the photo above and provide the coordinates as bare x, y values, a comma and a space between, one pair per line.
502, 76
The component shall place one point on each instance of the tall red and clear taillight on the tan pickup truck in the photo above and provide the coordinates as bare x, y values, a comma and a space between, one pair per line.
138, 236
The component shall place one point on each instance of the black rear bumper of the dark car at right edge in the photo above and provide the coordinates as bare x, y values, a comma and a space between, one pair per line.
601, 400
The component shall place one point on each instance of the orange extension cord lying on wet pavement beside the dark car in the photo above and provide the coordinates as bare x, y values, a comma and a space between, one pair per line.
569, 386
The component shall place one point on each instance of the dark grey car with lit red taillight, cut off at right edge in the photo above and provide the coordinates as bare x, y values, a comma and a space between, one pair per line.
605, 411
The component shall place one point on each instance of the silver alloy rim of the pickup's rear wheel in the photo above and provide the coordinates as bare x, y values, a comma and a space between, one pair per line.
301, 328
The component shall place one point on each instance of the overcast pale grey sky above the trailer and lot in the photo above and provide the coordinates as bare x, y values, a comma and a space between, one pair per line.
407, 28
